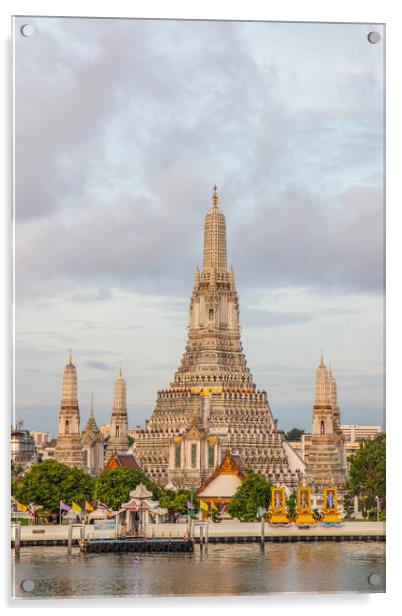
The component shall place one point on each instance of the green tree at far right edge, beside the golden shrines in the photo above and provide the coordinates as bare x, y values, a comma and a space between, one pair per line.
367, 472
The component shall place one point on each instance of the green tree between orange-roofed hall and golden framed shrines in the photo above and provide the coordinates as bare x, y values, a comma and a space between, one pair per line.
254, 492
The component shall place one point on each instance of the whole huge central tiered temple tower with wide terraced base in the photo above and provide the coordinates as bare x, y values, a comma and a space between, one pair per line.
212, 405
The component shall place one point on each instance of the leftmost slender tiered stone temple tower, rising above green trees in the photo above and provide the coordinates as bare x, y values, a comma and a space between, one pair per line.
68, 448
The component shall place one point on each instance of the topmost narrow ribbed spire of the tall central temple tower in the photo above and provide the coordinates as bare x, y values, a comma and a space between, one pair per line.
215, 238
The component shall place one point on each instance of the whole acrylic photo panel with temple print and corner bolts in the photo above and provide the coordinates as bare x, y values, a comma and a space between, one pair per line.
199, 295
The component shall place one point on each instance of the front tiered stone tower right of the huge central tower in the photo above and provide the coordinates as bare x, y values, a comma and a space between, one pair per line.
324, 449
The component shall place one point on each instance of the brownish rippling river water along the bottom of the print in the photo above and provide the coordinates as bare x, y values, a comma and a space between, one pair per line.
221, 569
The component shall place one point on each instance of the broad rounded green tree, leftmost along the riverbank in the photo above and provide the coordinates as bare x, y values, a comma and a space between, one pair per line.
47, 483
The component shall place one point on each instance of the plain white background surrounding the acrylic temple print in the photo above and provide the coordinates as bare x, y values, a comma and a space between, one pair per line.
381, 11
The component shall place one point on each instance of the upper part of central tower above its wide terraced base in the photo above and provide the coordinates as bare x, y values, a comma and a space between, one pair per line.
216, 359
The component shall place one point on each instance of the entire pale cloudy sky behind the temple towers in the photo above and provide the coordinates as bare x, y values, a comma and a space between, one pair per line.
122, 127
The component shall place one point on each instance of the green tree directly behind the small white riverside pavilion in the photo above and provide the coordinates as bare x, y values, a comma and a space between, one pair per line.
113, 487
